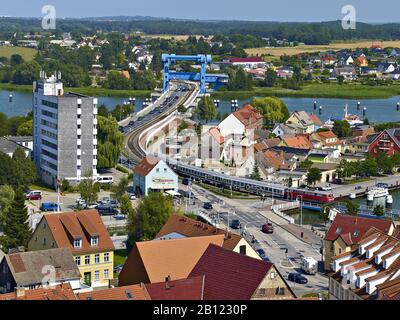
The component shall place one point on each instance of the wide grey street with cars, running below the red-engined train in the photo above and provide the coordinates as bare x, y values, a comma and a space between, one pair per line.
249, 212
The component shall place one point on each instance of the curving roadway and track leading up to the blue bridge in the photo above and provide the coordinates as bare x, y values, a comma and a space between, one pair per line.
167, 105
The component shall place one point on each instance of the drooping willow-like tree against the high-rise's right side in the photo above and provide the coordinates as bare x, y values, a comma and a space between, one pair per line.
110, 142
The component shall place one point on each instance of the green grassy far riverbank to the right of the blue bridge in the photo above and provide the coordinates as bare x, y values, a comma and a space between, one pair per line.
317, 90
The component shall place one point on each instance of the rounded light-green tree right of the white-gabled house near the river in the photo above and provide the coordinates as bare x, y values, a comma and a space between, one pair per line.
273, 109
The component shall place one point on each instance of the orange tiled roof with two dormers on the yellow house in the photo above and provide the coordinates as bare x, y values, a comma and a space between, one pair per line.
62, 225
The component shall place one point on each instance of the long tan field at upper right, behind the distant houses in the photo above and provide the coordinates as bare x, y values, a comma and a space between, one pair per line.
277, 52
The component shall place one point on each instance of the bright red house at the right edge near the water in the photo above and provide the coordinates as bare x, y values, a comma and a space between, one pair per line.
388, 141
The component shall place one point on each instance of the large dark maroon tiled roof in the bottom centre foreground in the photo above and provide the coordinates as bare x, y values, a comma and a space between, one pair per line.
229, 275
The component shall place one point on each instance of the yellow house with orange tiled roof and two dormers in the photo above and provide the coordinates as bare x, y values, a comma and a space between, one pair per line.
86, 236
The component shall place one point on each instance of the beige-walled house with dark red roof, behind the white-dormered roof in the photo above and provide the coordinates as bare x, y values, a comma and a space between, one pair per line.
346, 230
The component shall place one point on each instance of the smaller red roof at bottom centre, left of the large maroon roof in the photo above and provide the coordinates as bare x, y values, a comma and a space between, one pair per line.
186, 289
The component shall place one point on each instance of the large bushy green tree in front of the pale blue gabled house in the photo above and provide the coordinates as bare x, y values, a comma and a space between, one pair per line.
147, 219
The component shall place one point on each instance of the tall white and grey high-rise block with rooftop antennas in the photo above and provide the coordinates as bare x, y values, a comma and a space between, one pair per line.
65, 132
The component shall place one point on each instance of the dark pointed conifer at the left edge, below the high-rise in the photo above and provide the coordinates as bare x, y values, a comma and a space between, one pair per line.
15, 223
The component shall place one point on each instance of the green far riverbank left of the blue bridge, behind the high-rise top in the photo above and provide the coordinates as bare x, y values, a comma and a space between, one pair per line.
89, 91
